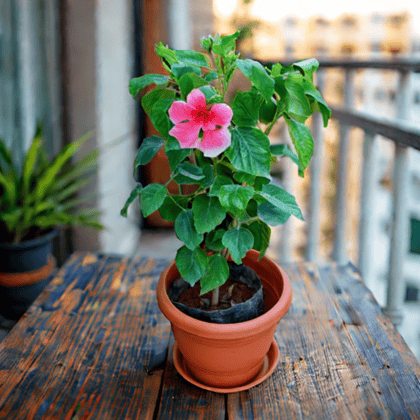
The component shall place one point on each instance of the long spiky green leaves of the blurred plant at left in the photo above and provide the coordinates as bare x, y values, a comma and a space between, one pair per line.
42, 193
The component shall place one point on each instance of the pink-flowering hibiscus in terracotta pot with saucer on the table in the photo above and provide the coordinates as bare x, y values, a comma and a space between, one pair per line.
223, 149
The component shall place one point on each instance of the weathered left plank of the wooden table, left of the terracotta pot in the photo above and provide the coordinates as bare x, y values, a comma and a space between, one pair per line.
87, 353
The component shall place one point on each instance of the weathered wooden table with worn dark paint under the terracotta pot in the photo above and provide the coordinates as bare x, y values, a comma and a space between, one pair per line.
95, 346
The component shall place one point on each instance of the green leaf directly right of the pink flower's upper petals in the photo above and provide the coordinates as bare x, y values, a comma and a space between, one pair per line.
245, 108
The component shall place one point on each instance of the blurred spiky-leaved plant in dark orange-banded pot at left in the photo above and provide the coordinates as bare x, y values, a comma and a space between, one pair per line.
35, 199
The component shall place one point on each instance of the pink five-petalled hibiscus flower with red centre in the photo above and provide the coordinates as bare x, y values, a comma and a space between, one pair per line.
201, 126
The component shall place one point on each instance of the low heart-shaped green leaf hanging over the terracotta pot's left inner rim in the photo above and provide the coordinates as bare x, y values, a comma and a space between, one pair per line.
191, 264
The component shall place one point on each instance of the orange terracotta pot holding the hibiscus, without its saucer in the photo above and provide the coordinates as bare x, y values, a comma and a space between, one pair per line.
228, 355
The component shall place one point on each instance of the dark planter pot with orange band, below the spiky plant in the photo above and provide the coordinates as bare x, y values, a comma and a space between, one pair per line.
19, 263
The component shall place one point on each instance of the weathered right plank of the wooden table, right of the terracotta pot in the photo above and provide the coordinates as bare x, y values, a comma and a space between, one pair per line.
339, 356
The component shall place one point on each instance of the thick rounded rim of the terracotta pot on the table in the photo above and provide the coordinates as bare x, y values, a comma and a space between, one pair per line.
228, 331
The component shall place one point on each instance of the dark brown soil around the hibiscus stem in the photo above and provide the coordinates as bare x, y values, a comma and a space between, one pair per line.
230, 294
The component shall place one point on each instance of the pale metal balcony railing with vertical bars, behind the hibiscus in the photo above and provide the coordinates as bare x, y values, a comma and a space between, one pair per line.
405, 135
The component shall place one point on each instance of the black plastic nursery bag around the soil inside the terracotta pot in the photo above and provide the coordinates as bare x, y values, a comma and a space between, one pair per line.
245, 311
